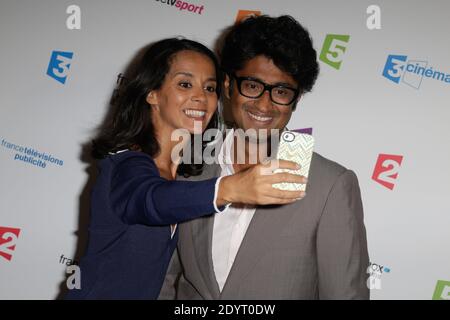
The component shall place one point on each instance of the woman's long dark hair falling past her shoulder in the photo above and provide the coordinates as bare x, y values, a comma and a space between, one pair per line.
129, 125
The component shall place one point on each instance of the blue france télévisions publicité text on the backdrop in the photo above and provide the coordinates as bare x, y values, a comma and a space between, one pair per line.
30, 155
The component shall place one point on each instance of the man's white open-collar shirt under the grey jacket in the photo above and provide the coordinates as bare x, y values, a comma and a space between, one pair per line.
229, 228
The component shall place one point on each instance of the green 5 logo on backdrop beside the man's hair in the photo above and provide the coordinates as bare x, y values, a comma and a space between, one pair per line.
333, 49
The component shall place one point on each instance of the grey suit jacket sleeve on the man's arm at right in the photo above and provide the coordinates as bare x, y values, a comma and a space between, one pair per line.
342, 244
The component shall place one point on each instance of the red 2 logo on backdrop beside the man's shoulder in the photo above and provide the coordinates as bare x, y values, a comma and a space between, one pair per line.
386, 170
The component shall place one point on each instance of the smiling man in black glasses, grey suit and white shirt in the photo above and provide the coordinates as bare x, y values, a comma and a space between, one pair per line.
314, 248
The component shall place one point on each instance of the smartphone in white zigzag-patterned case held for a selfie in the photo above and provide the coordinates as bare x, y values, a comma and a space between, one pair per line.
296, 147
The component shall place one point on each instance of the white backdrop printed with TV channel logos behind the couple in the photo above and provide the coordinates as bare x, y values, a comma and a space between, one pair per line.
356, 113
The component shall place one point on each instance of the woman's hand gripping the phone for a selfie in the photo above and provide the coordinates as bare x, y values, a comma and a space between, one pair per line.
254, 185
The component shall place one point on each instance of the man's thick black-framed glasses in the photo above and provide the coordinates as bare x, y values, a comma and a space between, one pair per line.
254, 88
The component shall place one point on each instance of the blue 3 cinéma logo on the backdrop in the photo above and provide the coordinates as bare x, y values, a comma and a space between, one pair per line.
411, 72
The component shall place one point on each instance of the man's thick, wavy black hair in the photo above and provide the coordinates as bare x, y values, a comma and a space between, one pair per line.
281, 39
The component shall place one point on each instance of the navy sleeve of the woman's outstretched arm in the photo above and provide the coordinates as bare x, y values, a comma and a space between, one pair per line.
140, 196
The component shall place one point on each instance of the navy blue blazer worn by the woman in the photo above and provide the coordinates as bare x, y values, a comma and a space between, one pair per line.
130, 242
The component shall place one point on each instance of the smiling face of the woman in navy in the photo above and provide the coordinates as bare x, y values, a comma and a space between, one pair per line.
187, 98
